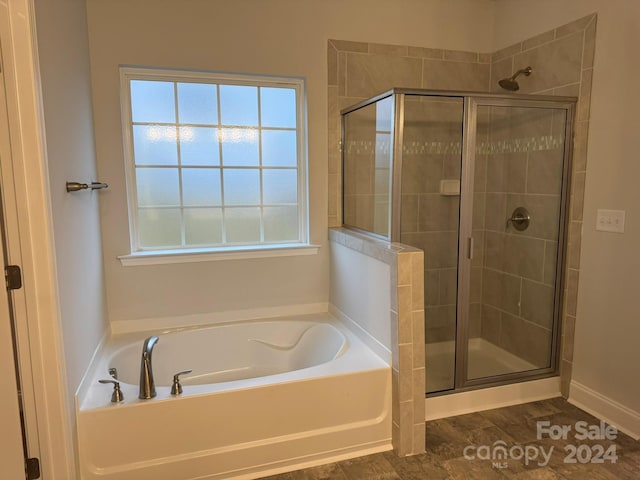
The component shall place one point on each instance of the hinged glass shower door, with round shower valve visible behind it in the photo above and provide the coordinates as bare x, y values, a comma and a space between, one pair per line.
512, 295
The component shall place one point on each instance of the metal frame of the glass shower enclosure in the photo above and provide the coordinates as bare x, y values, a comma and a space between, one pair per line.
471, 102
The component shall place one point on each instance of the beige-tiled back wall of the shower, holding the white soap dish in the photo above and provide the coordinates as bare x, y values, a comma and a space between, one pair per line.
358, 71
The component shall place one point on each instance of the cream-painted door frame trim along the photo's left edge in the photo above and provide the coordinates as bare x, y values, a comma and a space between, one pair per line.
29, 224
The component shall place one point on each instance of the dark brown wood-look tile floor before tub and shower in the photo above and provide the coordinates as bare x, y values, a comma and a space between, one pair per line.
515, 426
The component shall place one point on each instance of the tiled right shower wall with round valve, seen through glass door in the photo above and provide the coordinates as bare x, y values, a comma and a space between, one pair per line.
523, 168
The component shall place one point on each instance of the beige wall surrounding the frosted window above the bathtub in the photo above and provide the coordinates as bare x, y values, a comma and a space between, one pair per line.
283, 37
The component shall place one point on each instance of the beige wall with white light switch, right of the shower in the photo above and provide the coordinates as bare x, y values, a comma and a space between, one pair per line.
607, 327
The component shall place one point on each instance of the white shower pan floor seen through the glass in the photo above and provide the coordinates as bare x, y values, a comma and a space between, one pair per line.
485, 359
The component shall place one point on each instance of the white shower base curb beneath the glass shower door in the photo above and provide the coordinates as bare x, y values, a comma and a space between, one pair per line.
489, 398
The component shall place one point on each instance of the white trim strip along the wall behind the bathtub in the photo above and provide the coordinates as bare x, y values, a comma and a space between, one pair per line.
144, 324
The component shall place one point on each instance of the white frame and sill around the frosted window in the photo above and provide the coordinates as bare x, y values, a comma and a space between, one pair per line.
145, 256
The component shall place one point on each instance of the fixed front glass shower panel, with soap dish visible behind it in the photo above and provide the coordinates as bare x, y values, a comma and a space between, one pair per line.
430, 215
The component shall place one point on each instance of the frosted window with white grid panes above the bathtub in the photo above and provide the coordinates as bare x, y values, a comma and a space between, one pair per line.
214, 161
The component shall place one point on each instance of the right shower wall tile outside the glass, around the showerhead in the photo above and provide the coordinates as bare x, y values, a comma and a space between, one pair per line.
562, 60
